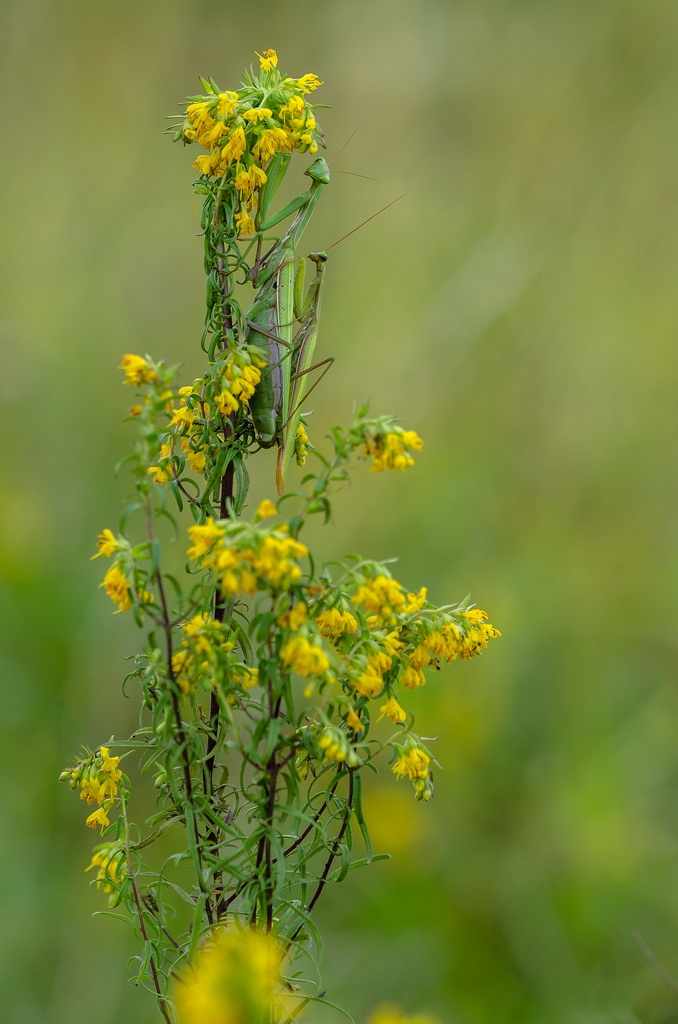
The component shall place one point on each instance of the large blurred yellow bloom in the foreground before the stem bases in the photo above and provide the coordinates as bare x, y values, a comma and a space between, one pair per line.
233, 980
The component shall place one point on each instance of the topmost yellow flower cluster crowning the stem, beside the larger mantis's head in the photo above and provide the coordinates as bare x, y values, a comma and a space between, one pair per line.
241, 132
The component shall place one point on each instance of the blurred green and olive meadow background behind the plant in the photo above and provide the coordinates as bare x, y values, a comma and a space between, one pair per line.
519, 308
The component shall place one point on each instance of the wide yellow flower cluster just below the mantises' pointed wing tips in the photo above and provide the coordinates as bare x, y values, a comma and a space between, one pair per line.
261, 562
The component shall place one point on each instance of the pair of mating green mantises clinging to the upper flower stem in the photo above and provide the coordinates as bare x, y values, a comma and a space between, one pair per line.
280, 304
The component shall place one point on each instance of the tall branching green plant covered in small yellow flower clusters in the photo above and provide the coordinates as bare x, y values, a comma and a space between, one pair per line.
269, 685
